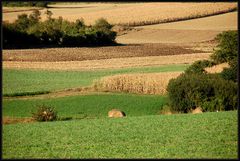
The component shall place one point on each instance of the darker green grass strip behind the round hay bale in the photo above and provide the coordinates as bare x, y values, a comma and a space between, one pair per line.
82, 106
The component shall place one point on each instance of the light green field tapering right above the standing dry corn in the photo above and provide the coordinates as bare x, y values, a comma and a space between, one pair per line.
32, 81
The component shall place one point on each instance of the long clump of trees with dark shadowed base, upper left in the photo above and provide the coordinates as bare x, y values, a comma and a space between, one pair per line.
28, 32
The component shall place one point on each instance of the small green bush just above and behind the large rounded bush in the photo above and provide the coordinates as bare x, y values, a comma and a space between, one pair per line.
198, 66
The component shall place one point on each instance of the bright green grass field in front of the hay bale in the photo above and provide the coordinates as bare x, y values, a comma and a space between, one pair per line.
208, 135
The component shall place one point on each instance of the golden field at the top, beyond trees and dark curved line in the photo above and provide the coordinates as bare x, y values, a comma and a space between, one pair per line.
133, 13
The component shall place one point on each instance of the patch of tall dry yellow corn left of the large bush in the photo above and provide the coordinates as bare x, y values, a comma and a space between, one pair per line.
147, 83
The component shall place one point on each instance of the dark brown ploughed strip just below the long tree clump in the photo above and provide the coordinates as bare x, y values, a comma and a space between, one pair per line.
95, 53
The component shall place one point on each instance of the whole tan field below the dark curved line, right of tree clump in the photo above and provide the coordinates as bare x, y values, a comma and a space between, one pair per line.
182, 32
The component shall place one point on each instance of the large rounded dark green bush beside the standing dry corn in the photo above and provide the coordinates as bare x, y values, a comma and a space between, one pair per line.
208, 91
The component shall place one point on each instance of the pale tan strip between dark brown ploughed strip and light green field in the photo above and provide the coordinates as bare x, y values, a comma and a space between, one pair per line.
108, 63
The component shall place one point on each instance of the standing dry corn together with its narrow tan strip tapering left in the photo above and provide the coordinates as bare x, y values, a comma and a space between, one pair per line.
149, 83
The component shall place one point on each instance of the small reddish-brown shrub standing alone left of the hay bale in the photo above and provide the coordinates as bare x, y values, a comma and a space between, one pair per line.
45, 113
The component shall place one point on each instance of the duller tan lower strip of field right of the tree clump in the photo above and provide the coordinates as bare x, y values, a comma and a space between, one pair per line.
167, 36
